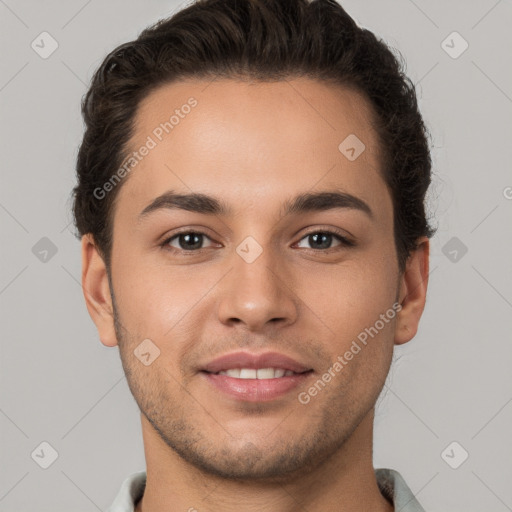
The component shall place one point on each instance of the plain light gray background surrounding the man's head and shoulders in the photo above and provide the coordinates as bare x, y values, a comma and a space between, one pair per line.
453, 382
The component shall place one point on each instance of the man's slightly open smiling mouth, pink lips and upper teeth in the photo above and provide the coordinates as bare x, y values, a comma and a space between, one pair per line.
255, 377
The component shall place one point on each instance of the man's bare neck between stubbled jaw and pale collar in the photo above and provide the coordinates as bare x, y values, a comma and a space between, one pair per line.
343, 481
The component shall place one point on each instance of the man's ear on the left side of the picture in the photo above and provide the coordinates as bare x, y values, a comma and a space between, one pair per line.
96, 289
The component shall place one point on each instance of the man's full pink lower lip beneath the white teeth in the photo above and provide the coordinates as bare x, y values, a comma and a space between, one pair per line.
256, 390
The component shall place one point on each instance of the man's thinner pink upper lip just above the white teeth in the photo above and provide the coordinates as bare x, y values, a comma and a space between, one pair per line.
256, 361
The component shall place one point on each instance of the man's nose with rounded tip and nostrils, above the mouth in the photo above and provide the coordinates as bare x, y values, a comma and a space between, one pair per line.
258, 295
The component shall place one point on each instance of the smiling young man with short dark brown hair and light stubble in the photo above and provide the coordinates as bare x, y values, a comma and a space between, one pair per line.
250, 199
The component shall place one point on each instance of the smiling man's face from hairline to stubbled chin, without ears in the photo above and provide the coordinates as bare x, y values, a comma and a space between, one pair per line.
252, 271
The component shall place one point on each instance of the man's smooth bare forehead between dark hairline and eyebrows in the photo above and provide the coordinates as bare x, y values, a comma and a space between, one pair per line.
253, 143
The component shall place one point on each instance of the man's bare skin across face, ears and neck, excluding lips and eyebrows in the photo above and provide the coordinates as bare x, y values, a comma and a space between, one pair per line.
255, 145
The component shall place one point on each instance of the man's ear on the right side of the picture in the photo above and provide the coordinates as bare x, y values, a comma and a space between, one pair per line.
413, 292
